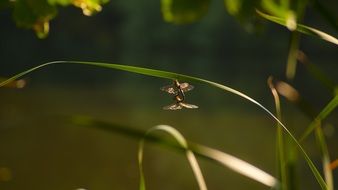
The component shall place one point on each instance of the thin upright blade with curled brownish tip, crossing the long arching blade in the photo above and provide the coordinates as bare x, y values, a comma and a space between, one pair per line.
280, 150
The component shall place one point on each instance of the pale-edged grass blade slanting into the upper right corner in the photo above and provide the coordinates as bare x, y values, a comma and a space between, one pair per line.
301, 28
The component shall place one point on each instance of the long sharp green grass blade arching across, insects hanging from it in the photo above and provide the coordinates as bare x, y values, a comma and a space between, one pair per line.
173, 76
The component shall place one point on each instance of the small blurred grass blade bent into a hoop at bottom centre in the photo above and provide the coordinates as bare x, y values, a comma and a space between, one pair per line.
183, 143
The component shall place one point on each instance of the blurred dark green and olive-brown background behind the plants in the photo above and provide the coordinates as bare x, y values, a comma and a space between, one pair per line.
40, 149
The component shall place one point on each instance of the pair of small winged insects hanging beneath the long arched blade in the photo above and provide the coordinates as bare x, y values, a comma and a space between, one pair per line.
178, 89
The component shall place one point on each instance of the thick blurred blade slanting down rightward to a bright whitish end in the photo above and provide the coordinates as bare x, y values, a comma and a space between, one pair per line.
233, 163
